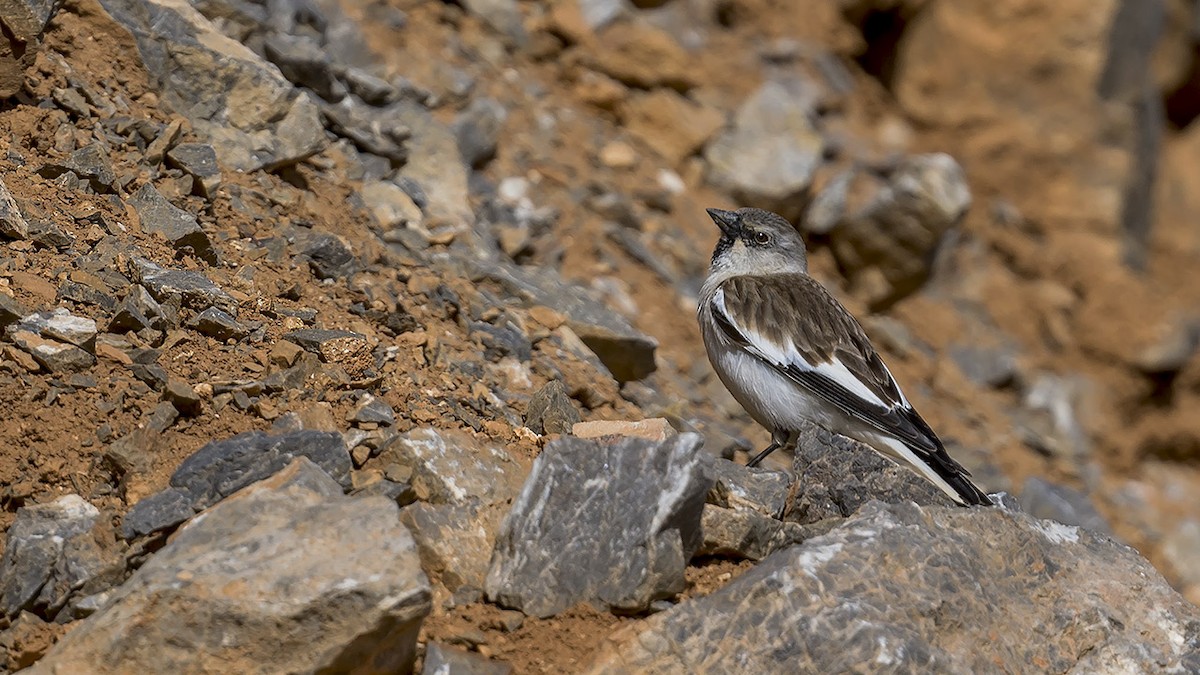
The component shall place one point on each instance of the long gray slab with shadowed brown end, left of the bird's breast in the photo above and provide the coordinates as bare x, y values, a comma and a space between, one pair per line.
627, 354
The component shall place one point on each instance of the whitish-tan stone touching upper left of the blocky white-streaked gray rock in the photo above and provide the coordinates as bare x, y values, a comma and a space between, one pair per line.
454, 468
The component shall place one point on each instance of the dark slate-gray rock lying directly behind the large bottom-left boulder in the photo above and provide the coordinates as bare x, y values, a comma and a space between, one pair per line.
223, 468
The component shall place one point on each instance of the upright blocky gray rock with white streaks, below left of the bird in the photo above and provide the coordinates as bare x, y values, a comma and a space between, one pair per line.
608, 523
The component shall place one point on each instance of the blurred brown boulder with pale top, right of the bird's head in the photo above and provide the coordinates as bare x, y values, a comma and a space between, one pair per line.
897, 232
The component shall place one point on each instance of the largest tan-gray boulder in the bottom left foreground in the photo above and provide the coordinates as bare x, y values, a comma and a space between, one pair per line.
286, 576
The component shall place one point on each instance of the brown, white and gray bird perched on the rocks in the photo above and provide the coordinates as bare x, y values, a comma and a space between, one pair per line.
791, 354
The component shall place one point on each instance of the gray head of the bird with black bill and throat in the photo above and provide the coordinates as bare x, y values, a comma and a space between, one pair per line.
757, 242
